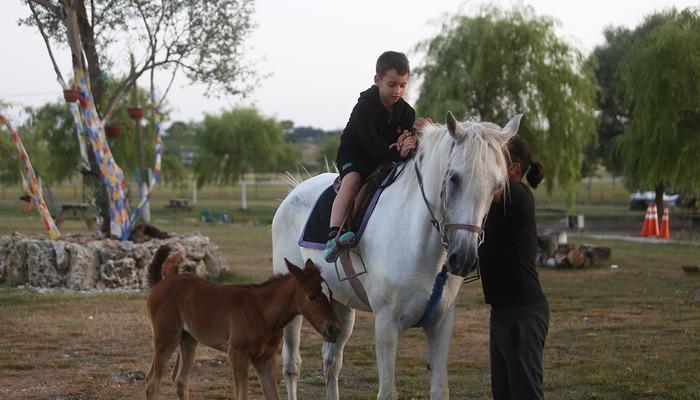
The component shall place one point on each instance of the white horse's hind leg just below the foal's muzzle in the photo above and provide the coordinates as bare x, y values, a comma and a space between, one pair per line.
333, 352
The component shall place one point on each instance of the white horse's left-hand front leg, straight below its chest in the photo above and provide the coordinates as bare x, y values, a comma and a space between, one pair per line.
386, 336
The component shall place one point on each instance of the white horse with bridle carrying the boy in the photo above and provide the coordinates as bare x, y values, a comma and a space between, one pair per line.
462, 165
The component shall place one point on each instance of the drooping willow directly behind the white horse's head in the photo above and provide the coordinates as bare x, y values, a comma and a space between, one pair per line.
497, 64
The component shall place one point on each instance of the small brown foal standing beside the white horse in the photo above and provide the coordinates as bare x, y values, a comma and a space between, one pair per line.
245, 321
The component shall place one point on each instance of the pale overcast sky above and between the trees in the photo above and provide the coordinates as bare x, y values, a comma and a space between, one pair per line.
319, 54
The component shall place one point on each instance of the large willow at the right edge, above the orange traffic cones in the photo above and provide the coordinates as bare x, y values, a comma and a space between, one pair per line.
661, 77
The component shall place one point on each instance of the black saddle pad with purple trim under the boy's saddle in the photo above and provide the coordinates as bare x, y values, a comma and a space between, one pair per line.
315, 233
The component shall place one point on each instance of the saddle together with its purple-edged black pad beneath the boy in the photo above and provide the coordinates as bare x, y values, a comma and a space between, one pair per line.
315, 233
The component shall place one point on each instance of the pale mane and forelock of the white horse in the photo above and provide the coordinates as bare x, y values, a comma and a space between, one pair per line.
478, 139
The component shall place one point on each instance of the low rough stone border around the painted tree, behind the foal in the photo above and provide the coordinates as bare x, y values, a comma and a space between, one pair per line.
83, 262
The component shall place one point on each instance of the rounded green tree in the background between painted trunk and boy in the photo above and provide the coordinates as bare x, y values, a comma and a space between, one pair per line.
240, 141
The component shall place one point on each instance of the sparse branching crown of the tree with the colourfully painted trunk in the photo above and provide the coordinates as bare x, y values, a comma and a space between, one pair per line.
202, 39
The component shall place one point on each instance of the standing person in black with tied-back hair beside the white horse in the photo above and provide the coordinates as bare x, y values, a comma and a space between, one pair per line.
519, 308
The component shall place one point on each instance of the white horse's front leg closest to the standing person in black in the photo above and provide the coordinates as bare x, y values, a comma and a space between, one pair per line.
439, 336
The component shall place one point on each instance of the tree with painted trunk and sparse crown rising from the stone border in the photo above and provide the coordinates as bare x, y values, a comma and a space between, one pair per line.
203, 39
